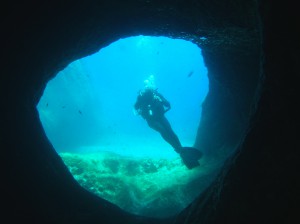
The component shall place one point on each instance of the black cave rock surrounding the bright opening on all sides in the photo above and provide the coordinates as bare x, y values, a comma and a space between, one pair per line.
259, 184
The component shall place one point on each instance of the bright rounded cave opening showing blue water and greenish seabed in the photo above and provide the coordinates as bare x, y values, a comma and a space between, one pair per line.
87, 114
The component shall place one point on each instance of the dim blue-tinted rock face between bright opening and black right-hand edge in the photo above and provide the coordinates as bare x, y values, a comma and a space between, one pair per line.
226, 111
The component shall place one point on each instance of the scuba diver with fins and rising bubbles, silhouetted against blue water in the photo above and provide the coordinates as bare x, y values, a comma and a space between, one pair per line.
152, 106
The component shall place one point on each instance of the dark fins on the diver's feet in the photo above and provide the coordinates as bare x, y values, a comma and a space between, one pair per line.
190, 156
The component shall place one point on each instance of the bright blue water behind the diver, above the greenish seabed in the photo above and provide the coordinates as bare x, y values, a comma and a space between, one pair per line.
88, 106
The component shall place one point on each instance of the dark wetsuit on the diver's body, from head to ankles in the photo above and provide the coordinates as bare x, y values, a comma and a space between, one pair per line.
152, 106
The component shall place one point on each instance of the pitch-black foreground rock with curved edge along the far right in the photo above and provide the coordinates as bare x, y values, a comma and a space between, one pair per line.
260, 184
